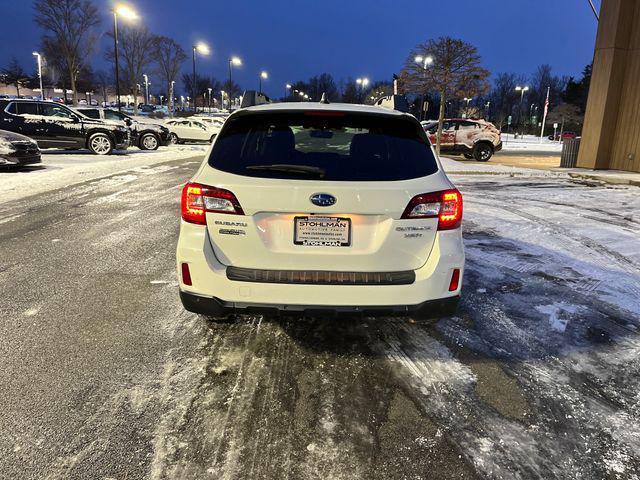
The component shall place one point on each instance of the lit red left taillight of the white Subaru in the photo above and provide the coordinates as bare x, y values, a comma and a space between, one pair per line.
198, 199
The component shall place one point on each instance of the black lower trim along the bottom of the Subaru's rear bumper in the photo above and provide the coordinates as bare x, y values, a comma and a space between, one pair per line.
214, 307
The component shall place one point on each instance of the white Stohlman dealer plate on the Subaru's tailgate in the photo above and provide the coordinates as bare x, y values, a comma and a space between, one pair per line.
322, 231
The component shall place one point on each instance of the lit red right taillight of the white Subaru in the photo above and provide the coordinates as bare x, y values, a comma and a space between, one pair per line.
445, 205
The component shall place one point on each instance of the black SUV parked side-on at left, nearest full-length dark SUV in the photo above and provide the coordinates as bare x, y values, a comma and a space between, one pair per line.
53, 125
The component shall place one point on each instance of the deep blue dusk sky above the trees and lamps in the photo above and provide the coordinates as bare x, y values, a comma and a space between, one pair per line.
347, 38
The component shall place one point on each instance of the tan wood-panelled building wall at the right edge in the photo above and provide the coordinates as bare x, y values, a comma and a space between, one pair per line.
611, 133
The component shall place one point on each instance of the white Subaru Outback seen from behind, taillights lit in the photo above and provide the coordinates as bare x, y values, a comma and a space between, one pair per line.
316, 208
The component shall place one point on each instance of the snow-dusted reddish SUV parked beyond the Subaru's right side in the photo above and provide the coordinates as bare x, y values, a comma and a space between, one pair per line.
475, 139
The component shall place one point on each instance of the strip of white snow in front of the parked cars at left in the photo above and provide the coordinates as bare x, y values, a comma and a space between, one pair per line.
60, 168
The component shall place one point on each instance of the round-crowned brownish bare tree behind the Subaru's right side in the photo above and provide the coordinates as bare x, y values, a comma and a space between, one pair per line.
454, 72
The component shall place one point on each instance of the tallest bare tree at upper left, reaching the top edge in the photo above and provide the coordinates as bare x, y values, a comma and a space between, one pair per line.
69, 27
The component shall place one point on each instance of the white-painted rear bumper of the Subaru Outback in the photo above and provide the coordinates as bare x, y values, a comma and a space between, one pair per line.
210, 281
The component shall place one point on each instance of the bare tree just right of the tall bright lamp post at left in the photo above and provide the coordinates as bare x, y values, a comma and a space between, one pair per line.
135, 45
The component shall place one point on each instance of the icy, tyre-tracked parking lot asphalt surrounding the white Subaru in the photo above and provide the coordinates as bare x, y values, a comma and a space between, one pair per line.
105, 376
